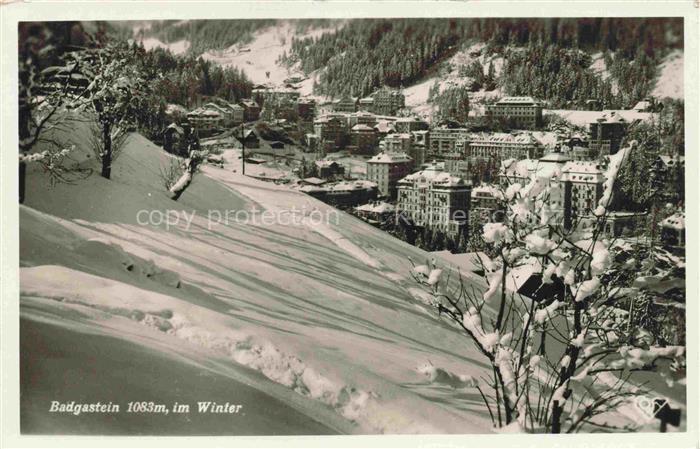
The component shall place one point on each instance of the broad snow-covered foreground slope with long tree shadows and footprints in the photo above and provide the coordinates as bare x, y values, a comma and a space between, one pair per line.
321, 321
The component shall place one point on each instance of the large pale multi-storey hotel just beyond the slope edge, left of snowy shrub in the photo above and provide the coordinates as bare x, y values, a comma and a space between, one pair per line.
435, 199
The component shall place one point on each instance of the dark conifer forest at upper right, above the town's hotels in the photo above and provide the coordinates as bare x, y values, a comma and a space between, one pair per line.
366, 54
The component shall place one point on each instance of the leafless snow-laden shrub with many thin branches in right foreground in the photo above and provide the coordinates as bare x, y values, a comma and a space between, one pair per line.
562, 352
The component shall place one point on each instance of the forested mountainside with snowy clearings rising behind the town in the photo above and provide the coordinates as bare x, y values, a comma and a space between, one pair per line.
566, 62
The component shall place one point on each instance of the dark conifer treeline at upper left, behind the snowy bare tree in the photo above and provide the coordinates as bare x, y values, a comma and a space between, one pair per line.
182, 80
